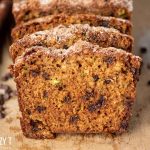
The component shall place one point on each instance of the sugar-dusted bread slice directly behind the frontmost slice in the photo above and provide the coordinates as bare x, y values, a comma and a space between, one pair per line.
63, 37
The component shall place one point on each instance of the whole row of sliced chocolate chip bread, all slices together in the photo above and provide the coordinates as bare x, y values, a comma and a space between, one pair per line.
73, 66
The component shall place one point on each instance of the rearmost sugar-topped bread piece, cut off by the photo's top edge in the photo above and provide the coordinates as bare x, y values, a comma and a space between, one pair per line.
29, 9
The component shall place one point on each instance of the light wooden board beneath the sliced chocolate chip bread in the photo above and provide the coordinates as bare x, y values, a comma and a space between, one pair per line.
138, 136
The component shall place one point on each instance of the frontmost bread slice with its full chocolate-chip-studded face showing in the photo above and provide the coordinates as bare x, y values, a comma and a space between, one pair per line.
84, 89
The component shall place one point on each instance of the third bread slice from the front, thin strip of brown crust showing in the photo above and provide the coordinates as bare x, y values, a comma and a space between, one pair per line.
48, 22
